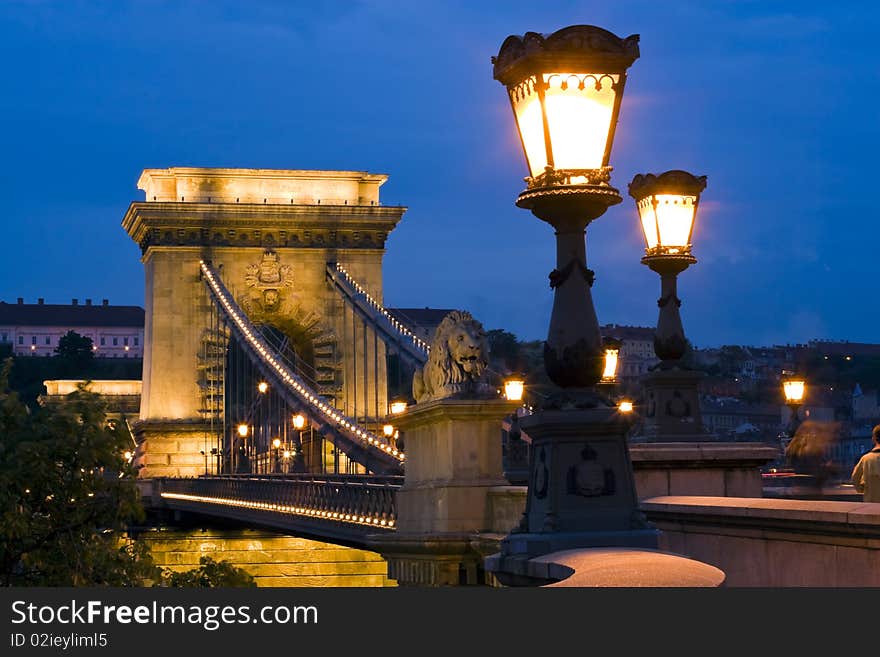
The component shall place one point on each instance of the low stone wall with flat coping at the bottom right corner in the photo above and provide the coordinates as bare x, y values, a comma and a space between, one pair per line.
774, 543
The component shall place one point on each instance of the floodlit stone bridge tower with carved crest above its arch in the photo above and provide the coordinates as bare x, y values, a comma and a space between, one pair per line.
270, 234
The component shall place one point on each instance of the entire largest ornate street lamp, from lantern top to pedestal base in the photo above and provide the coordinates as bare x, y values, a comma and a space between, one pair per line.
565, 91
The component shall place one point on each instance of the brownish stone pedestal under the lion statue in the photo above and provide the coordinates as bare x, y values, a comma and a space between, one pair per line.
453, 468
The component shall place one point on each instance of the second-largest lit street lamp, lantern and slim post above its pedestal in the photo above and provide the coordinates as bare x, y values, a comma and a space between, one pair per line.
667, 206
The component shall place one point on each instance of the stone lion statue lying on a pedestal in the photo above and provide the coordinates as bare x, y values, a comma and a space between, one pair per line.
458, 359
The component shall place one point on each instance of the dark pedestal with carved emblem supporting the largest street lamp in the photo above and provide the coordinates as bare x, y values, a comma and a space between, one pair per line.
581, 491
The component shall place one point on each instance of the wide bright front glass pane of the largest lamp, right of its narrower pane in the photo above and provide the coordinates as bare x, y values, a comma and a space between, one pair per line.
579, 116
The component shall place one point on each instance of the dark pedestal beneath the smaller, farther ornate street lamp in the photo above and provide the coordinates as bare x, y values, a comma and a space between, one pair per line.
672, 405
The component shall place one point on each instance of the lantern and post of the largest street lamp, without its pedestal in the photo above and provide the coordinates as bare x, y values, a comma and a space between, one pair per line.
565, 90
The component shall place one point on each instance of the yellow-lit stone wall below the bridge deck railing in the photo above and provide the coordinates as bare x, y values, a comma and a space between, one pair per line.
273, 559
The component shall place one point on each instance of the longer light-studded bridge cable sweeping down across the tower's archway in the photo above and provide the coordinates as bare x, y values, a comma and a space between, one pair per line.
358, 443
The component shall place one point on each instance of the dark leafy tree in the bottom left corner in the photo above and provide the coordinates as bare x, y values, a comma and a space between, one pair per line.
66, 495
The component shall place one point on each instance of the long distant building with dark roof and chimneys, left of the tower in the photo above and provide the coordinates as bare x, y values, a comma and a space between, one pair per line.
34, 329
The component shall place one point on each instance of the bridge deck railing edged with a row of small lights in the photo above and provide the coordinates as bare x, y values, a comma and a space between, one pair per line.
363, 501
